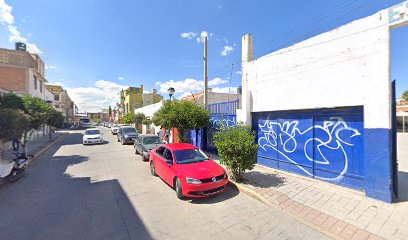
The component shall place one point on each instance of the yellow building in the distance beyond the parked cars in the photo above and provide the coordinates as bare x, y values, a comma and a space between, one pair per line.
133, 98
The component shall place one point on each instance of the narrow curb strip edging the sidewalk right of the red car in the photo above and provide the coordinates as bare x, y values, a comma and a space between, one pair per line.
256, 195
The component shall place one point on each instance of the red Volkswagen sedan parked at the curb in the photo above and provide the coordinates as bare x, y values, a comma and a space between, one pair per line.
188, 170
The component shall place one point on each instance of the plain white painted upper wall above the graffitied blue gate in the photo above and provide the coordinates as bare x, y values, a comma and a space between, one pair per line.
348, 66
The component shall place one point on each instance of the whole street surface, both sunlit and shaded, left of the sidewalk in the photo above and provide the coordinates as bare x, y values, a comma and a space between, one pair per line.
107, 192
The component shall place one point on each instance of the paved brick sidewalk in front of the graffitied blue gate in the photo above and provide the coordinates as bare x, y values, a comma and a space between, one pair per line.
343, 212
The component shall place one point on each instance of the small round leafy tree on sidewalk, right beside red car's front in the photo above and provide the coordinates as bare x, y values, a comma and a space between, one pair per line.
236, 145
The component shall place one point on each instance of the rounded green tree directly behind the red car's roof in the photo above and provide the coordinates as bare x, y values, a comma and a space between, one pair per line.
183, 115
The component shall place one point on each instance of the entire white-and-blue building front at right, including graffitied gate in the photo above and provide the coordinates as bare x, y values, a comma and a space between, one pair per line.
325, 107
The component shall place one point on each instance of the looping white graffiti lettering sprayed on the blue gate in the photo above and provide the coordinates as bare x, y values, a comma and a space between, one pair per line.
331, 138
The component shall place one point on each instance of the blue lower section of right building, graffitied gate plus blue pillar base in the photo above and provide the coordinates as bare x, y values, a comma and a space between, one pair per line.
330, 145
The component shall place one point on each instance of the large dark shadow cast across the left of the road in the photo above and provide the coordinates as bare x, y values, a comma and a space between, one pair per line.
53, 201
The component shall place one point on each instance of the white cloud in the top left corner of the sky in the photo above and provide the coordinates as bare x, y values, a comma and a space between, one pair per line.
7, 19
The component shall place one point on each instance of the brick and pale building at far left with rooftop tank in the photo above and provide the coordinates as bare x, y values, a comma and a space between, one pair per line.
23, 73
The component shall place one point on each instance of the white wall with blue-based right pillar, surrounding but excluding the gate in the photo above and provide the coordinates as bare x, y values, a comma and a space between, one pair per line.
346, 67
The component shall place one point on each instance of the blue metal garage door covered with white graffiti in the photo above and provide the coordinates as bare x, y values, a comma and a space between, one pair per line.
325, 144
